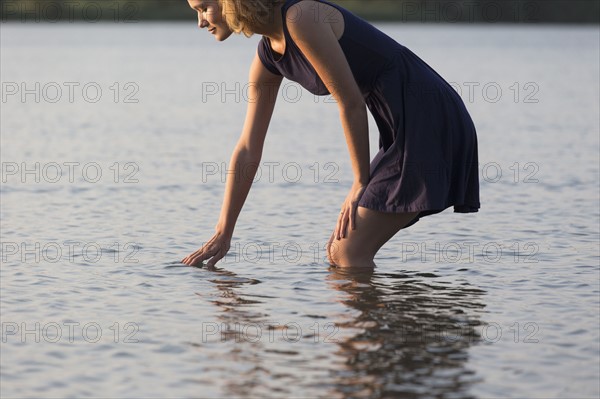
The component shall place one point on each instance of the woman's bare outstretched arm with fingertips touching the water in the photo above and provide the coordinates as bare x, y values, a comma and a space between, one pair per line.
262, 94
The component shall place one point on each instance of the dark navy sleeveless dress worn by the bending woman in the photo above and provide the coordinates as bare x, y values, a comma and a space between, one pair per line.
427, 159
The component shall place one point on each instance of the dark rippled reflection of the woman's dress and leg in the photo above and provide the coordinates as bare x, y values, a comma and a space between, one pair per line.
414, 335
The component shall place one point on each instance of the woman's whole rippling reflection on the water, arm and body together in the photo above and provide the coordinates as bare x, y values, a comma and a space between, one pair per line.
397, 335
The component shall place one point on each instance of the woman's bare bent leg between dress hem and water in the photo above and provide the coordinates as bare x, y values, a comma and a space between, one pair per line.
373, 229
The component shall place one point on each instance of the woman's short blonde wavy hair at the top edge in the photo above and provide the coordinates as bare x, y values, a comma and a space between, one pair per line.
243, 16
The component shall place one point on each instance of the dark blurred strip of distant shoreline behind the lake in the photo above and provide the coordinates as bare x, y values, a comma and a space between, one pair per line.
425, 11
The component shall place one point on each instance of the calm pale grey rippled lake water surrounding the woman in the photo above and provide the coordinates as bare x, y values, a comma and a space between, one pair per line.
115, 144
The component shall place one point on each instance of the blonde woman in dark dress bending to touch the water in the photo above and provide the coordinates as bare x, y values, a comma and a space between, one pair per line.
428, 146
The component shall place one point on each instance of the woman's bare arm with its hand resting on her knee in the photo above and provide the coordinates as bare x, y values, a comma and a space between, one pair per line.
317, 40
